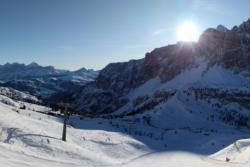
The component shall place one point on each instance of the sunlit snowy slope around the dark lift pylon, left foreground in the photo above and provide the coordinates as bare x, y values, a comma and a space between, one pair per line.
28, 138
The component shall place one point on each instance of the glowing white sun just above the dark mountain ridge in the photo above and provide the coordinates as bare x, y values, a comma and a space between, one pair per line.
187, 31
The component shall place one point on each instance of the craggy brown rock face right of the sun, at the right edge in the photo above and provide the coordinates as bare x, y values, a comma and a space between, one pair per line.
231, 49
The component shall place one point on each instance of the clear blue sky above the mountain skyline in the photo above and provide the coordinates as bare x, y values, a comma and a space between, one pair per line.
71, 34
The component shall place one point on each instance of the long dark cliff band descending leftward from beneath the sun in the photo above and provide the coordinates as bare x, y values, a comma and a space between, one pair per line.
165, 62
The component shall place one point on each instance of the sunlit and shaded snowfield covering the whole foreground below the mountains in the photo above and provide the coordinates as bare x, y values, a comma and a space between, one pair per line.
28, 138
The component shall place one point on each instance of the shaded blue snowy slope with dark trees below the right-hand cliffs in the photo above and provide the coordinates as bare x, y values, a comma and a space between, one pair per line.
192, 99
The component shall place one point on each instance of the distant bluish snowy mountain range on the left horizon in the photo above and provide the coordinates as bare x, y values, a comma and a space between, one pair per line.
43, 82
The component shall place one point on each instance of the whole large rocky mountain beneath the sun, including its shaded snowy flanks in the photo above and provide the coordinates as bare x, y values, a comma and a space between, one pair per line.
214, 71
